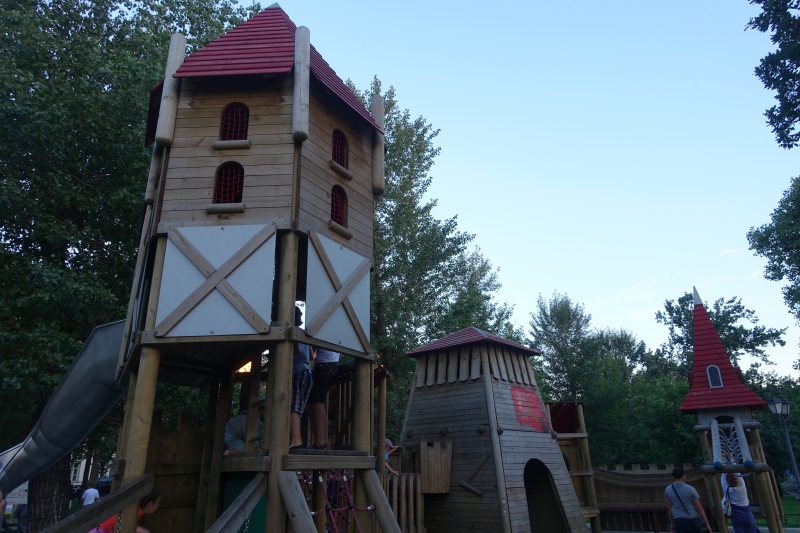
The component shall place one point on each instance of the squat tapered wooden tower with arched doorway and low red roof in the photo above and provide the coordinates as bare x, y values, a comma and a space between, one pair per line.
483, 442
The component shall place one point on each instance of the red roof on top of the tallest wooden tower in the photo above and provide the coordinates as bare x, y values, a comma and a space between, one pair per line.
264, 45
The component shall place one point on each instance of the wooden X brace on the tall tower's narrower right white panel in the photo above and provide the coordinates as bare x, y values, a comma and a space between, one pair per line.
340, 297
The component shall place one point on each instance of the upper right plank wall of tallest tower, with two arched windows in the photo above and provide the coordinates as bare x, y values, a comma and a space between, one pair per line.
317, 178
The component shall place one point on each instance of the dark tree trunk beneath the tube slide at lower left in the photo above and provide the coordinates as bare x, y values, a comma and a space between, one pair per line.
48, 496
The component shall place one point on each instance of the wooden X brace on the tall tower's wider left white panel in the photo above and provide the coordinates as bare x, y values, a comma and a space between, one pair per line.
216, 279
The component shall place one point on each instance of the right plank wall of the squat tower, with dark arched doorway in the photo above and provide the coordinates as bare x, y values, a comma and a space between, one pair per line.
521, 443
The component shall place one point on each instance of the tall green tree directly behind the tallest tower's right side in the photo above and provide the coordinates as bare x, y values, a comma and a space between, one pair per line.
425, 283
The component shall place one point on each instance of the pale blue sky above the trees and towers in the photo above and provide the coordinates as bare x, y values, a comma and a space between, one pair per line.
614, 151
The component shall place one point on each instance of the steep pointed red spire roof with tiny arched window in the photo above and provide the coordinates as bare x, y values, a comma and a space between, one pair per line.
708, 352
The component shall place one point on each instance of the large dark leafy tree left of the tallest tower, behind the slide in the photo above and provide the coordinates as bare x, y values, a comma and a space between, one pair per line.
74, 82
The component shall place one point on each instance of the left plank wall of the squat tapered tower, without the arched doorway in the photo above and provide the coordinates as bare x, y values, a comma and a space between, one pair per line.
448, 394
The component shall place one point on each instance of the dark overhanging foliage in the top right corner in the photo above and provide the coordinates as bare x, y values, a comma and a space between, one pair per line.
778, 71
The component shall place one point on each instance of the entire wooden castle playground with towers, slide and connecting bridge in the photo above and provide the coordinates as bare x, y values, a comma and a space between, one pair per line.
261, 190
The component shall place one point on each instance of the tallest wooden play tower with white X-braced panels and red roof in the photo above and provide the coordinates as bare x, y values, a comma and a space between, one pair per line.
260, 194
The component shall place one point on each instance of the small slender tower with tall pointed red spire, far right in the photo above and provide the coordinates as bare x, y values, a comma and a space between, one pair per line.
723, 404
